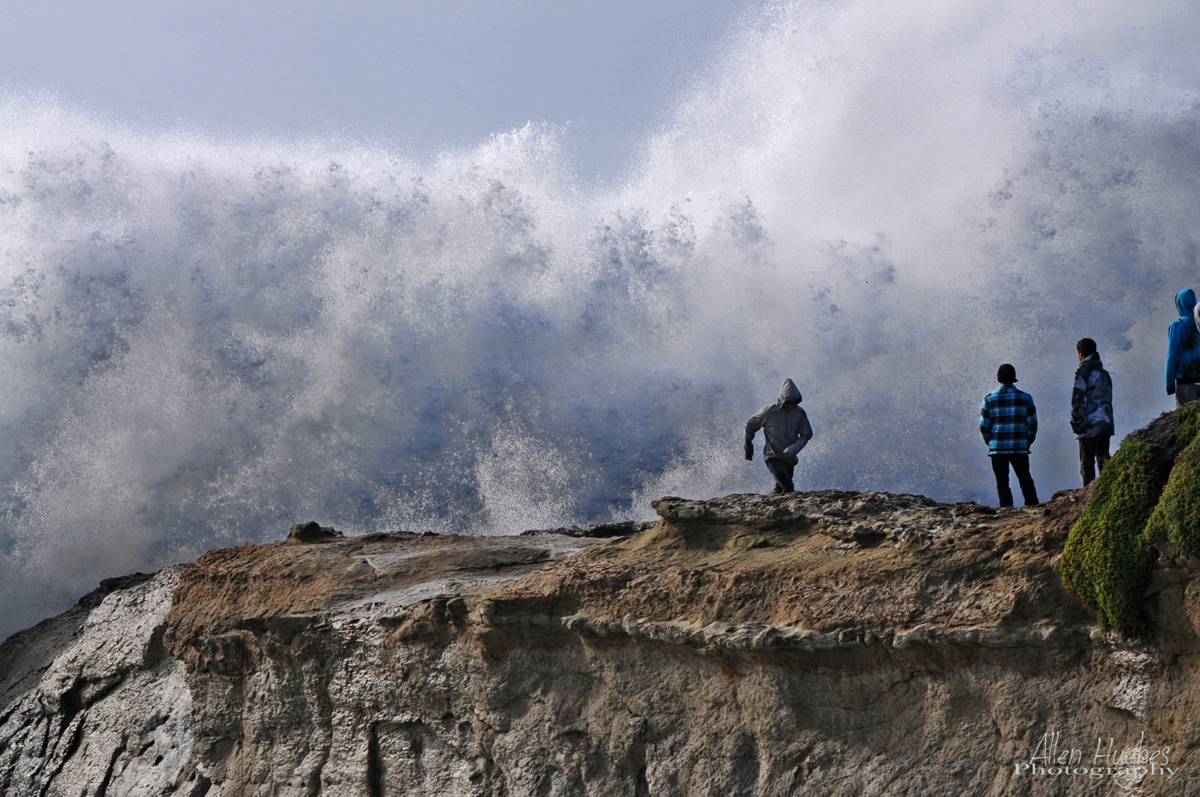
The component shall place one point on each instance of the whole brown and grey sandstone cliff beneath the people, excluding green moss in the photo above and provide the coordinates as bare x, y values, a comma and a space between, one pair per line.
817, 644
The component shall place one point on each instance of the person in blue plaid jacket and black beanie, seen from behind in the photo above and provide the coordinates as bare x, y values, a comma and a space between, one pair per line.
1009, 422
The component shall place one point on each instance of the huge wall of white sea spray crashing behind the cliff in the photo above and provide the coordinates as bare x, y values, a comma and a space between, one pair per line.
207, 341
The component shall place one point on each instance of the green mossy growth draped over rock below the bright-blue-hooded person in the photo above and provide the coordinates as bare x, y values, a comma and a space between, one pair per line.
1151, 488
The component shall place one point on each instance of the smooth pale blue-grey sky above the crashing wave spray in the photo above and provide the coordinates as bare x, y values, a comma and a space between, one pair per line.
421, 75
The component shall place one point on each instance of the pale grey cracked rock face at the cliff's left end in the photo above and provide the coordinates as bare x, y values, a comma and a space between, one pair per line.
92, 704
